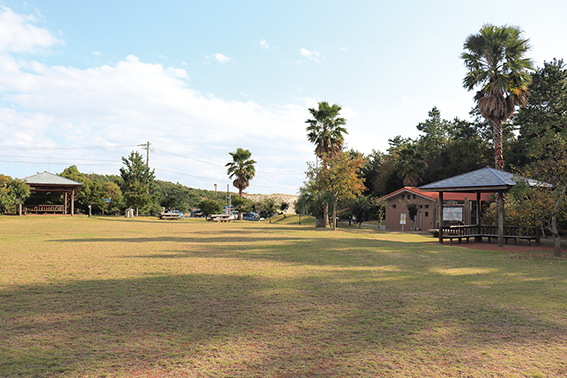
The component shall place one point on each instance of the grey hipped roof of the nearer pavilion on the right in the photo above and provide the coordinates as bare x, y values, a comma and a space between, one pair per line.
482, 180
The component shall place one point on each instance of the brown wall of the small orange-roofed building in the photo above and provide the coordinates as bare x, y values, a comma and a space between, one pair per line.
397, 206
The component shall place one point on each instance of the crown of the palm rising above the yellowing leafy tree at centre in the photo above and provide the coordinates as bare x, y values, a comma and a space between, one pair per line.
325, 130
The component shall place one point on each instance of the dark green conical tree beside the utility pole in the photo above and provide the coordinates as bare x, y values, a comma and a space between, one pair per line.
138, 180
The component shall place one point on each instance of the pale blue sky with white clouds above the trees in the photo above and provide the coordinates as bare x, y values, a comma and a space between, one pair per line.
85, 83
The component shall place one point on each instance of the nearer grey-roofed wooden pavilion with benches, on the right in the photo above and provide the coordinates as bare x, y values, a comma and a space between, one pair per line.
484, 180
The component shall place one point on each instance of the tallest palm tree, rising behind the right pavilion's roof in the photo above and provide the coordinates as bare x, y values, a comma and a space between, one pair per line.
495, 62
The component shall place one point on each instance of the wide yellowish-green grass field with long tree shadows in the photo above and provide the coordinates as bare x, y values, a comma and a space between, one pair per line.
116, 297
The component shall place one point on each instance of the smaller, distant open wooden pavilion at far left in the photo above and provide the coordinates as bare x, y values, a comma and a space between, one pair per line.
48, 182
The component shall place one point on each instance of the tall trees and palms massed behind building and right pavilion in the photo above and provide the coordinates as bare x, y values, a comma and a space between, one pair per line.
518, 124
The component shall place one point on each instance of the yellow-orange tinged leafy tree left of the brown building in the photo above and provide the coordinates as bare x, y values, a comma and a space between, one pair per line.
338, 175
